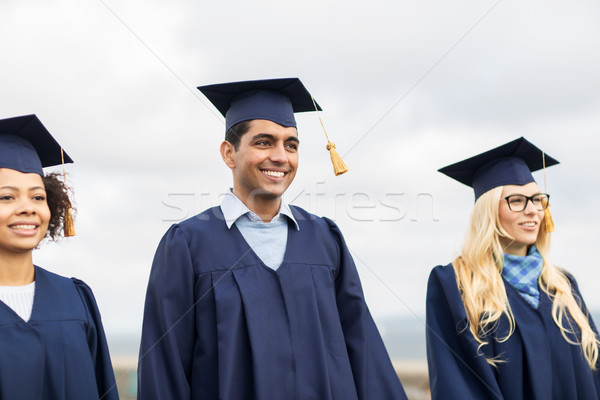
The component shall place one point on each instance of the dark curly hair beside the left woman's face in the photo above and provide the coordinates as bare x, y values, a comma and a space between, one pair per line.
57, 195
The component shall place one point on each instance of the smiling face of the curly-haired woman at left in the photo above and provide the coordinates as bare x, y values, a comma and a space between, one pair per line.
24, 212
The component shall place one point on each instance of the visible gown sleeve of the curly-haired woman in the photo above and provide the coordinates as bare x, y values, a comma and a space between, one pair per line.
105, 377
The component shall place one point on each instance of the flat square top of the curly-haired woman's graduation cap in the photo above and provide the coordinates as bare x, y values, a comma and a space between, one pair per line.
31, 129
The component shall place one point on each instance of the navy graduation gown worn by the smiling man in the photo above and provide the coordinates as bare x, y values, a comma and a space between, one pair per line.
219, 324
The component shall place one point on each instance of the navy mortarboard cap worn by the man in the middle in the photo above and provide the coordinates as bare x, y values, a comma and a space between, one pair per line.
273, 99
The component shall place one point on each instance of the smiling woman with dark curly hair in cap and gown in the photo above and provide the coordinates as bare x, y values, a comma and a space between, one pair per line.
52, 344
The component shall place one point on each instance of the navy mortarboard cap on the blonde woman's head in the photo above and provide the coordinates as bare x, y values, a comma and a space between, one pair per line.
509, 164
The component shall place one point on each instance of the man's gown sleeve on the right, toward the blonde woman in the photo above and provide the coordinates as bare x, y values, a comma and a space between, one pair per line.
374, 374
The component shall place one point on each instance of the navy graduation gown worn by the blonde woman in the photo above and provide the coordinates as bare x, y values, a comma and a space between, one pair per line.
540, 364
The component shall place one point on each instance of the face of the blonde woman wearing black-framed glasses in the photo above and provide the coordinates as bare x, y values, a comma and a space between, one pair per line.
523, 226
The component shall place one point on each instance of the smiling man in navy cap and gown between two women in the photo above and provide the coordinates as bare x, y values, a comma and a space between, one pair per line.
257, 299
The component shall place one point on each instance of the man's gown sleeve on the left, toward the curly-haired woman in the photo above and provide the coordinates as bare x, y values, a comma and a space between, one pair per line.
167, 345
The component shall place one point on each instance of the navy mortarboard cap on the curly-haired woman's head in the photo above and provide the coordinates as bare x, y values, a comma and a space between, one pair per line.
27, 146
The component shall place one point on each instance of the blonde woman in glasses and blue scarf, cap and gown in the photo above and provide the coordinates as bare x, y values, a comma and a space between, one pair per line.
503, 322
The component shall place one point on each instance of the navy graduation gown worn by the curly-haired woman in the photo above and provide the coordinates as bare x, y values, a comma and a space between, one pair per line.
61, 352
